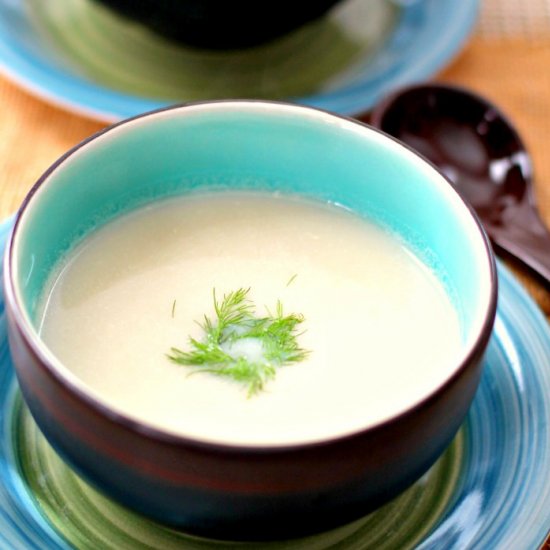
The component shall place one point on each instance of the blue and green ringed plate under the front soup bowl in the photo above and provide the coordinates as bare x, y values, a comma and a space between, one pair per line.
489, 490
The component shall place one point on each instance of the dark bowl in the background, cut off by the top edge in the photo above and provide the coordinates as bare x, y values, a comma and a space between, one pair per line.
220, 25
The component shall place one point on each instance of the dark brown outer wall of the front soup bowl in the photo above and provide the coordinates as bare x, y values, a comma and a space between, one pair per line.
241, 493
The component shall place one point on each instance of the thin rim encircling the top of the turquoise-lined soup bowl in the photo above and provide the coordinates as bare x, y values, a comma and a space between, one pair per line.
156, 434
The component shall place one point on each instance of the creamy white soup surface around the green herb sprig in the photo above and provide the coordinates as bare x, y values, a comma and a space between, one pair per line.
379, 326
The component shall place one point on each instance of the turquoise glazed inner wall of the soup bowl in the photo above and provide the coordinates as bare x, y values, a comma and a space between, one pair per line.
256, 146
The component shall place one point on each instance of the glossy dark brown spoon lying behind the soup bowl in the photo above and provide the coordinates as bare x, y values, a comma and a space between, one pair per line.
480, 151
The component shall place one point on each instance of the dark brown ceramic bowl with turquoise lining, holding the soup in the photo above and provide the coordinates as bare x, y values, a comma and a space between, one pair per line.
244, 491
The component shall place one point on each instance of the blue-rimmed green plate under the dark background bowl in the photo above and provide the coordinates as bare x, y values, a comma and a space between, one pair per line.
78, 55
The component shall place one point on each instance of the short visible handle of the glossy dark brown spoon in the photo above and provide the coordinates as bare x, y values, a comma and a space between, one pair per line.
528, 243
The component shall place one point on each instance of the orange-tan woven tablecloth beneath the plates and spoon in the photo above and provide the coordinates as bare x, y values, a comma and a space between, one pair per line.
507, 60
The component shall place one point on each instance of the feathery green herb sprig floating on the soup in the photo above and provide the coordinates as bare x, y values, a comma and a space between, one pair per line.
241, 346
